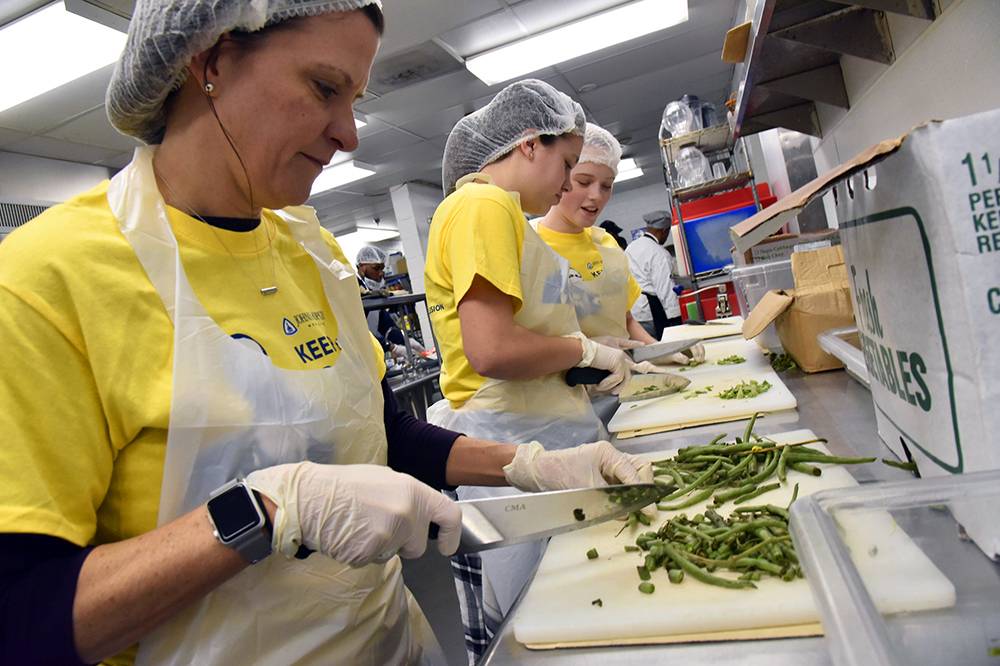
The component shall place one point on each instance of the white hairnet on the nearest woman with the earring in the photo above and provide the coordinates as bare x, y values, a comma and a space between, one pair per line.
164, 35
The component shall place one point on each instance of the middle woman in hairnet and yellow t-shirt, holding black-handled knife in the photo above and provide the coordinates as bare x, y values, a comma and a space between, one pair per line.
502, 317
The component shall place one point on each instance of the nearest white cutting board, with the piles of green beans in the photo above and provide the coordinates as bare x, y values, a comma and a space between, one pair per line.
557, 607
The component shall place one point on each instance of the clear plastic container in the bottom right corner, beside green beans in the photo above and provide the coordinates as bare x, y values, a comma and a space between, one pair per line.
895, 575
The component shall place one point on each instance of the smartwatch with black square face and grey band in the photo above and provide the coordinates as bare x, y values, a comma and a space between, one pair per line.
240, 521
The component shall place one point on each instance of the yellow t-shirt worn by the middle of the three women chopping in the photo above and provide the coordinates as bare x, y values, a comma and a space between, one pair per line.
477, 230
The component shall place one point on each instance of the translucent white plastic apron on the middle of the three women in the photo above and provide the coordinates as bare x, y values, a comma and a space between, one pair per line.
544, 409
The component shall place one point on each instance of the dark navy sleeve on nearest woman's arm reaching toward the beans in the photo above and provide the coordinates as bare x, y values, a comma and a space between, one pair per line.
416, 448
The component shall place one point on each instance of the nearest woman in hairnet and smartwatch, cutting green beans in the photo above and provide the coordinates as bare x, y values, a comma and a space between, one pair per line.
193, 404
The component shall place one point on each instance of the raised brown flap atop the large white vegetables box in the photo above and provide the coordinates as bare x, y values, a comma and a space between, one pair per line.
756, 228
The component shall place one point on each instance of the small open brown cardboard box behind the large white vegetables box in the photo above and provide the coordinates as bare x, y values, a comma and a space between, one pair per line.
821, 300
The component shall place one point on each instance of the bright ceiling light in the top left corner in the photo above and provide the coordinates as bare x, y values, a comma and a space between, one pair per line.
54, 47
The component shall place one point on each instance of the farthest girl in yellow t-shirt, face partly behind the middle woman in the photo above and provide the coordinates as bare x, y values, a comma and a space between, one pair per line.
600, 285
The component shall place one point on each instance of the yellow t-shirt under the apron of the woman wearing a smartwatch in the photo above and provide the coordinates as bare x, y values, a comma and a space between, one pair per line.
86, 368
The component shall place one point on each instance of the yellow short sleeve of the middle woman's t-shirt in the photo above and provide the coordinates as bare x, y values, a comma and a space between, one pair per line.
484, 239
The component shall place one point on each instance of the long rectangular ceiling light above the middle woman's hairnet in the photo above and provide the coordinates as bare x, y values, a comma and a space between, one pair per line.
573, 40
